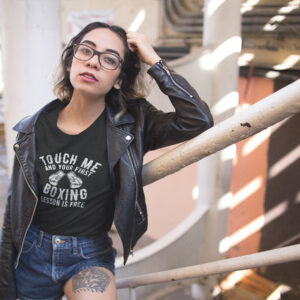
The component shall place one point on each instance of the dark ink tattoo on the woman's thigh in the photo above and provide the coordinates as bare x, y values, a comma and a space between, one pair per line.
93, 279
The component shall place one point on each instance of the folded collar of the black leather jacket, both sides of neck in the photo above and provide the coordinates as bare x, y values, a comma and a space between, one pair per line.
27, 124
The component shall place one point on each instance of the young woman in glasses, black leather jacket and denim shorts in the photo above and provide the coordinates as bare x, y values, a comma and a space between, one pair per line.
78, 167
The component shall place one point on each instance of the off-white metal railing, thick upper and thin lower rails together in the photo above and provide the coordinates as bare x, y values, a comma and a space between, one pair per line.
257, 117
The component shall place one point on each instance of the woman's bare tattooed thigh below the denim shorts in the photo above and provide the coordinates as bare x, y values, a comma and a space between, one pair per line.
93, 283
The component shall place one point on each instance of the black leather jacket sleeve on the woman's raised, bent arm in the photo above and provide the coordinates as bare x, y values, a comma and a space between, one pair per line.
191, 117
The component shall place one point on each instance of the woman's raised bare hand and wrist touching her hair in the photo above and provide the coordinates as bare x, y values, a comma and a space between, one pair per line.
139, 44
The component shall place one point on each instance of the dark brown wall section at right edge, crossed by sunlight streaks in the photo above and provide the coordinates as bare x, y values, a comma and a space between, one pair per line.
283, 186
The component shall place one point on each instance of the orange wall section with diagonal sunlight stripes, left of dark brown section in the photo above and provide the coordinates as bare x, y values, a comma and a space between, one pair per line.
246, 216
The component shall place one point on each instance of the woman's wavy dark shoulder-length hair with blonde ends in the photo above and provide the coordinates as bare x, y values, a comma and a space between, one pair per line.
131, 87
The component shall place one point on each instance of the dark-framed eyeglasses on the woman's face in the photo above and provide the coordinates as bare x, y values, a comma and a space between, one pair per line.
107, 60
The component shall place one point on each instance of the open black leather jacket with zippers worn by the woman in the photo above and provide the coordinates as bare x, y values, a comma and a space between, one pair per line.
140, 129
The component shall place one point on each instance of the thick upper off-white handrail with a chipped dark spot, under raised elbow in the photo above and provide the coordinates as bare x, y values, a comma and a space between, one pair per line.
255, 118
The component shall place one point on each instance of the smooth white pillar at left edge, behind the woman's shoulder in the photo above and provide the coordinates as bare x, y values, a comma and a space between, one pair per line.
31, 45
